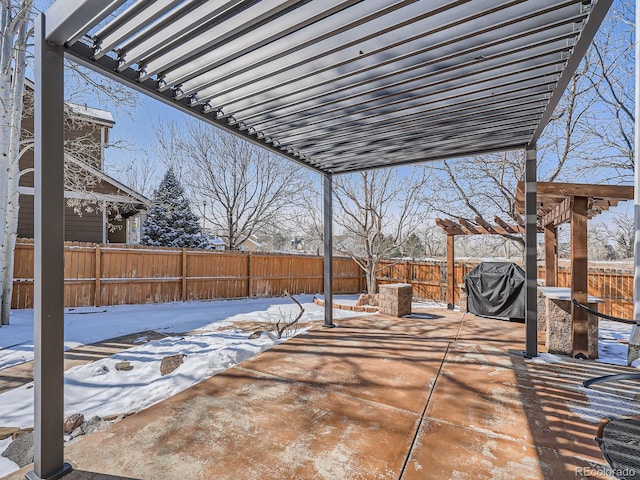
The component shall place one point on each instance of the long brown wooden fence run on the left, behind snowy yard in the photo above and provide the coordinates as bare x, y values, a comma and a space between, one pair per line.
123, 274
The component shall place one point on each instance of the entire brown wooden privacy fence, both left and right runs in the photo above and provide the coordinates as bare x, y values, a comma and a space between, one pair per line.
114, 274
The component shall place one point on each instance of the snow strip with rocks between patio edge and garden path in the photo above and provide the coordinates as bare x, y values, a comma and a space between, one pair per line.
97, 388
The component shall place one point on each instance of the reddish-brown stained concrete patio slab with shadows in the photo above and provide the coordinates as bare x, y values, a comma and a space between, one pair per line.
444, 396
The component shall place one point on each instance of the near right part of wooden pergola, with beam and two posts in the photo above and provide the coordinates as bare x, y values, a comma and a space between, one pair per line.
572, 203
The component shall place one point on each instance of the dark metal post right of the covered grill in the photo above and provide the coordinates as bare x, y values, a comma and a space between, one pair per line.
531, 247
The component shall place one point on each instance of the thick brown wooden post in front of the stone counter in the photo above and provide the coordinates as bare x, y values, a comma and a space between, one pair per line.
579, 273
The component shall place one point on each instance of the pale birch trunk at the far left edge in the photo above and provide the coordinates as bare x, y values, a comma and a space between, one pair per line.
14, 33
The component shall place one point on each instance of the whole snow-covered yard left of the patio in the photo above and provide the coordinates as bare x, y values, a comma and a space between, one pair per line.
208, 333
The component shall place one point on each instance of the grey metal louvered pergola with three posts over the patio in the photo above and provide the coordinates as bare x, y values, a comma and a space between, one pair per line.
338, 86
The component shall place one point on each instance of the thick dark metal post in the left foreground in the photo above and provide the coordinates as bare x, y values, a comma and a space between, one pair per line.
49, 260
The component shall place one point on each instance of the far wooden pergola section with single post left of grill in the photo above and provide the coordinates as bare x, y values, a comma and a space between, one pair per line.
466, 227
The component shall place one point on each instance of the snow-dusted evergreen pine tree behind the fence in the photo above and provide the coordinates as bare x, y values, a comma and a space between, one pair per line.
170, 221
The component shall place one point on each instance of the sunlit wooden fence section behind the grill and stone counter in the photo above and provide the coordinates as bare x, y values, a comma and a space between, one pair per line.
429, 280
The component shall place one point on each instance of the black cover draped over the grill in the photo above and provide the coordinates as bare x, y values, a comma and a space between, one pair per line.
496, 289
